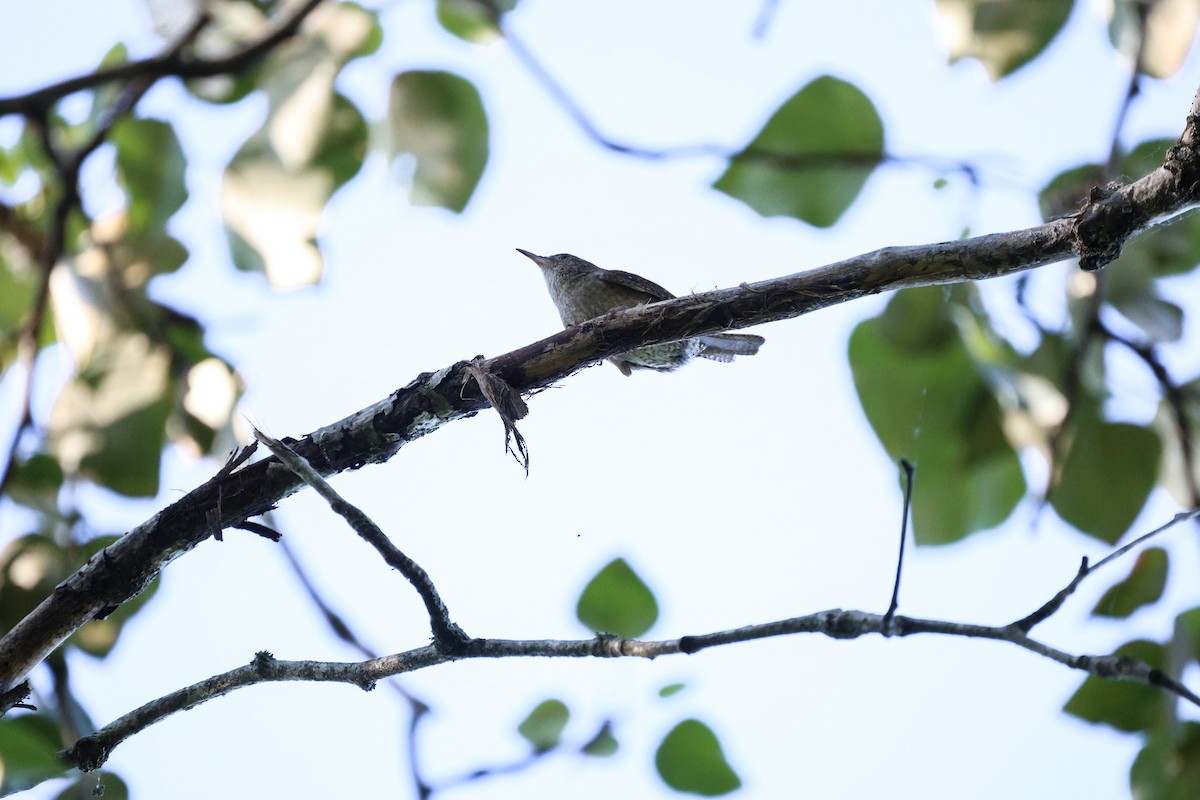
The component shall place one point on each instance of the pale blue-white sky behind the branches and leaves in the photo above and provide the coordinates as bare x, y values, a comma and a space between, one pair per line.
742, 494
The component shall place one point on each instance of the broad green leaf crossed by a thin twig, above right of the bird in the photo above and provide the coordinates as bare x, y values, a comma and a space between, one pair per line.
812, 158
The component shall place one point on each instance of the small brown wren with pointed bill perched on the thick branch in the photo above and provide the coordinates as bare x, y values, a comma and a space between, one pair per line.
583, 291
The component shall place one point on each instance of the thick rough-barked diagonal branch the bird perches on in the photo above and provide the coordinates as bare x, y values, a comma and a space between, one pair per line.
377, 432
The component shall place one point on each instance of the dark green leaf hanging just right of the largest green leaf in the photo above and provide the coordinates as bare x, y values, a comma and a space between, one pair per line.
1107, 476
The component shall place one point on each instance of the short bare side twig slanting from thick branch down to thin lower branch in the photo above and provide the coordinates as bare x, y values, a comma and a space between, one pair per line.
447, 634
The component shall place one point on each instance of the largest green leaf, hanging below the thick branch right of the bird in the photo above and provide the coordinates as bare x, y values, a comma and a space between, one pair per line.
928, 401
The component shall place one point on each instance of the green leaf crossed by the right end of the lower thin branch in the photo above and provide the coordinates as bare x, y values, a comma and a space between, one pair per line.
1124, 705
